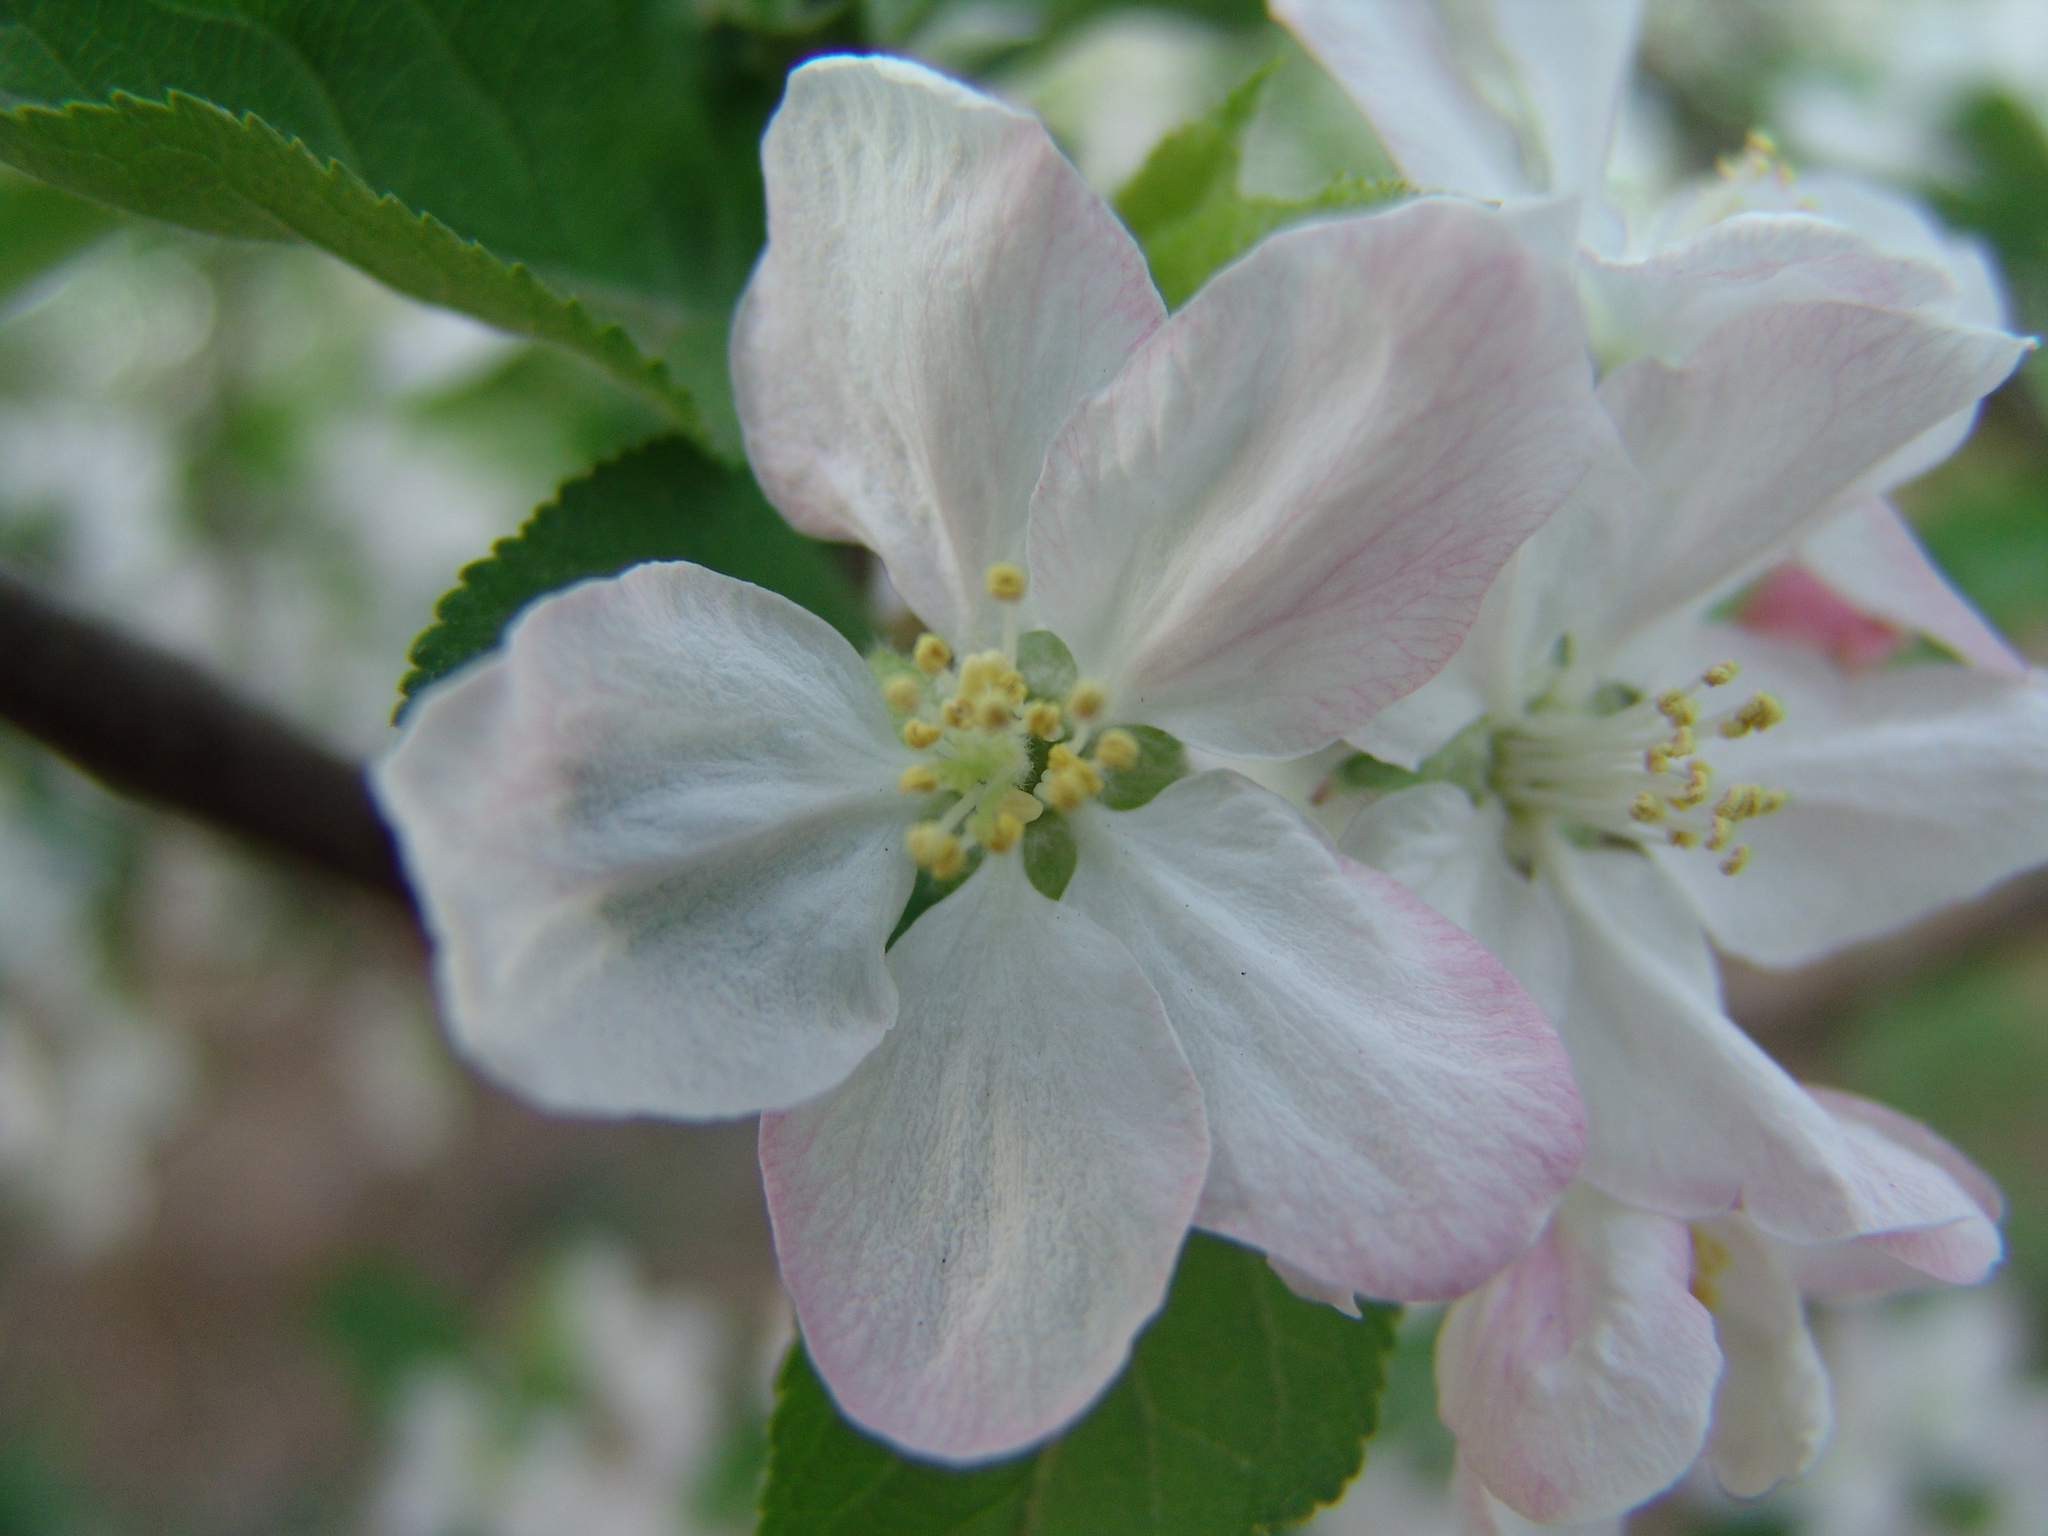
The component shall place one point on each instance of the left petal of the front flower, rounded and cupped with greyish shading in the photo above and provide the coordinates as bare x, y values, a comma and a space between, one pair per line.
660, 849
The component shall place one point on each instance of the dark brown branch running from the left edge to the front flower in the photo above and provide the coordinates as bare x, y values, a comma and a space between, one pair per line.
161, 730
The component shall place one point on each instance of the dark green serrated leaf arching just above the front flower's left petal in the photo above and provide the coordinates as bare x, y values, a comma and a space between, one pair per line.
665, 501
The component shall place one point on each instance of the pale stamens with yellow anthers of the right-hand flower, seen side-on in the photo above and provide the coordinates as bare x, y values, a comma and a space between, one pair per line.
1631, 767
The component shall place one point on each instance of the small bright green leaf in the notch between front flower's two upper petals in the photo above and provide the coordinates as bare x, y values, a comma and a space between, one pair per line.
1189, 214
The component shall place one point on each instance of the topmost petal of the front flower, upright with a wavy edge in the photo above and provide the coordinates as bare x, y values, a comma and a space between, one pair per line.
939, 290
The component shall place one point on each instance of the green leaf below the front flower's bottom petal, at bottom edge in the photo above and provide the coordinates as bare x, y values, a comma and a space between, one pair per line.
1242, 1408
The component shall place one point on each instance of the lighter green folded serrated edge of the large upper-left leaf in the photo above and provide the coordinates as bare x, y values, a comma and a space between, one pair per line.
194, 163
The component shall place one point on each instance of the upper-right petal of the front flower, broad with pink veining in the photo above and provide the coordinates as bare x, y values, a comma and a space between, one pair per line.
1291, 503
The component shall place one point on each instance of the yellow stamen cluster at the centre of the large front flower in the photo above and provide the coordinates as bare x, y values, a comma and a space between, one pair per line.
996, 749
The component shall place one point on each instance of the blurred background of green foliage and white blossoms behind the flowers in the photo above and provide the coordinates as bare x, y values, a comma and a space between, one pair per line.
273, 1263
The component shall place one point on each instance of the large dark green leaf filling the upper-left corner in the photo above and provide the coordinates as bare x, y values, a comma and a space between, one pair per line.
607, 148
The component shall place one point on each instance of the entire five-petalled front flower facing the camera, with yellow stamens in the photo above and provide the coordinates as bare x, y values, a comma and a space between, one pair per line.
663, 835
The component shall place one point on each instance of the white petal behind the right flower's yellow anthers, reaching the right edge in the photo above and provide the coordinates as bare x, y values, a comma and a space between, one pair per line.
1910, 787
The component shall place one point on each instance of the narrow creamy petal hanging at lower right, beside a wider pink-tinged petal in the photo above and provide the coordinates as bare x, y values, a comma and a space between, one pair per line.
1773, 1410
